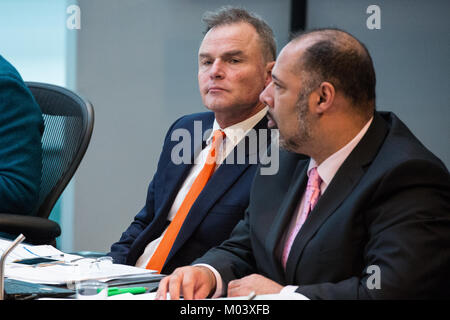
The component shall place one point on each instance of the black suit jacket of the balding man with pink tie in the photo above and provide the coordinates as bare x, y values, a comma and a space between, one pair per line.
380, 230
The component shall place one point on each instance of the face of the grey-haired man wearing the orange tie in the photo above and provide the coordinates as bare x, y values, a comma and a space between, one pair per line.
232, 72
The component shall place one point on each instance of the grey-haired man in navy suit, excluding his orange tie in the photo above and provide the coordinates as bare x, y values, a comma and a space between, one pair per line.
234, 66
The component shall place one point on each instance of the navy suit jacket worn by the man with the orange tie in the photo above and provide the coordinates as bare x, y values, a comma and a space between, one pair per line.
218, 208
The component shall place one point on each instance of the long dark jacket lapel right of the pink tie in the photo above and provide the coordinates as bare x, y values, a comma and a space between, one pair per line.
346, 178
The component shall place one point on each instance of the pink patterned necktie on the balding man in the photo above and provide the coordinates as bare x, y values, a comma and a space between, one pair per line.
312, 195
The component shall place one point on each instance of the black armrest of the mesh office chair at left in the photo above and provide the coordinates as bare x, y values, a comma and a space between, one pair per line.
33, 228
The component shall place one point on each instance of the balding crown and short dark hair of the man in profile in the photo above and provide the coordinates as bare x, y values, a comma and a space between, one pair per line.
337, 57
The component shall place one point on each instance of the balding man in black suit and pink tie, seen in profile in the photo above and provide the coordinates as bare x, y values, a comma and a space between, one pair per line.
367, 215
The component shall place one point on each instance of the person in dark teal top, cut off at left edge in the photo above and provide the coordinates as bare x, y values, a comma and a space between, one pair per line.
21, 128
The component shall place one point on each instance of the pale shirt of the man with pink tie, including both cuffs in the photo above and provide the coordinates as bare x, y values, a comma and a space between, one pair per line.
327, 170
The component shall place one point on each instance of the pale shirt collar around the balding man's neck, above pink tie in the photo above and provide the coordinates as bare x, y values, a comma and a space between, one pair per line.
328, 168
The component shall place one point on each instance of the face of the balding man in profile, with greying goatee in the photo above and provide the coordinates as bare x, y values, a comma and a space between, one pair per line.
288, 102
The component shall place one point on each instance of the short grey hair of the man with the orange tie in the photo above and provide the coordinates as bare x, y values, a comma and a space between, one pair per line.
229, 15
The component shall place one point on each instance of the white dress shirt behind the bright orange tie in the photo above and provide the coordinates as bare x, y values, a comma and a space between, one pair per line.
233, 135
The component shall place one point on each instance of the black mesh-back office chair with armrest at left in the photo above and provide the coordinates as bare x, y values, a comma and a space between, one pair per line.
69, 121
